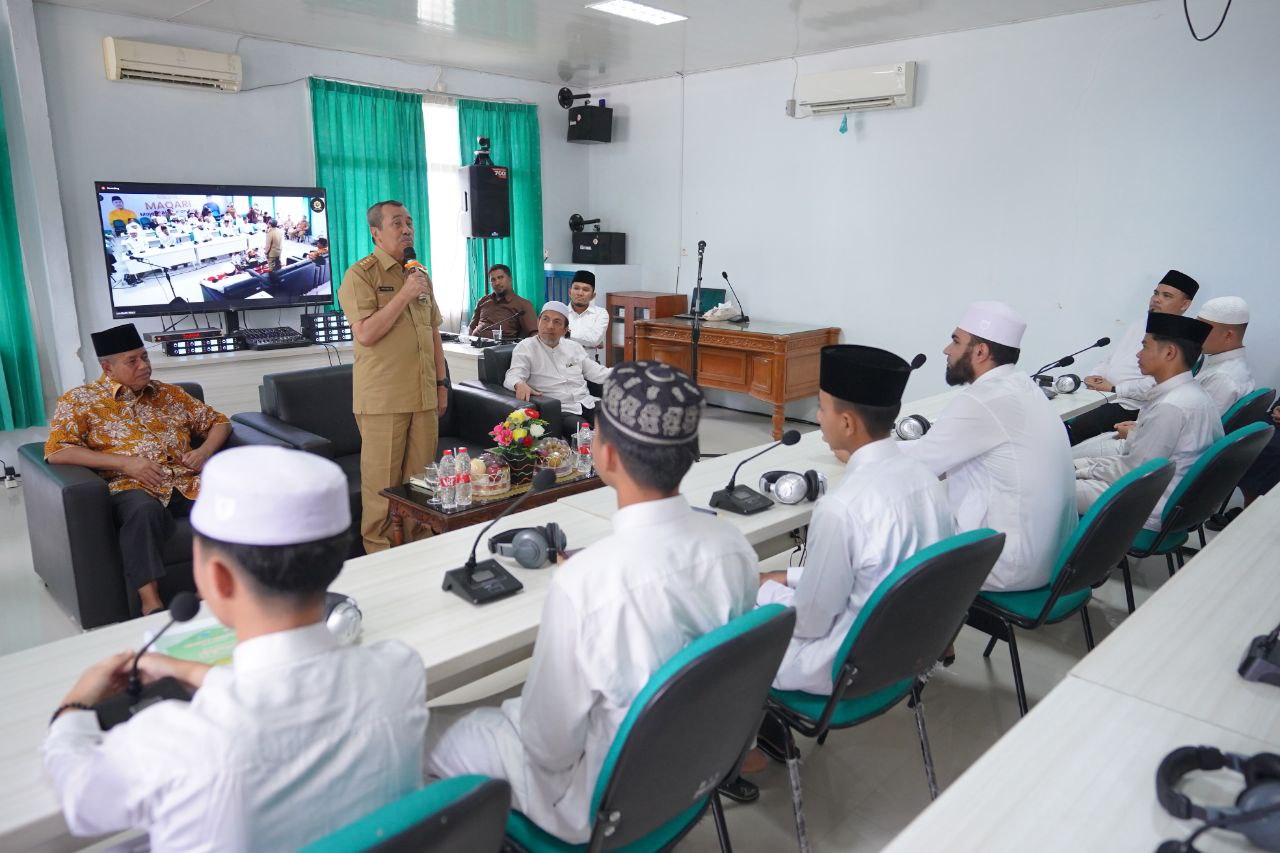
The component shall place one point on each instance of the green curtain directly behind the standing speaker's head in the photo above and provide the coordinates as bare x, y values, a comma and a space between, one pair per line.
371, 147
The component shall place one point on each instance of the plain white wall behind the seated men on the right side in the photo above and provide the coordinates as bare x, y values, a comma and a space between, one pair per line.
1062, 166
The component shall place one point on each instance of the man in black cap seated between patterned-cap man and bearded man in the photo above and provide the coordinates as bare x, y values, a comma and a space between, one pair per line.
884, 510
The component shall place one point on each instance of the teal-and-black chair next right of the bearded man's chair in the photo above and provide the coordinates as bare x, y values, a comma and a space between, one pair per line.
1199, 495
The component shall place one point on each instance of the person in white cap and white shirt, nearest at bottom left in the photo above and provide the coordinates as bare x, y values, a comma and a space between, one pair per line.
292, 741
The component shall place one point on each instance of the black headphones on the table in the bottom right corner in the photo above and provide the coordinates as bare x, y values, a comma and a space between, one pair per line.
1258, 810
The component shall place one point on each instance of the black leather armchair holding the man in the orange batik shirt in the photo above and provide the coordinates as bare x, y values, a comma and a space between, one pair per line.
74, 539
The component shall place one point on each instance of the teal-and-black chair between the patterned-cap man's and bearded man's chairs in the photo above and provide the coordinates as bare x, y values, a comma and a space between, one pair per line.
903, 630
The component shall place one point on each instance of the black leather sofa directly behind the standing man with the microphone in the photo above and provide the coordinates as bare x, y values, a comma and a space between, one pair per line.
312, 410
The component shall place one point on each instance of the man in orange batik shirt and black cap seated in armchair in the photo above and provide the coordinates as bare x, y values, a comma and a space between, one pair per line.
138, 435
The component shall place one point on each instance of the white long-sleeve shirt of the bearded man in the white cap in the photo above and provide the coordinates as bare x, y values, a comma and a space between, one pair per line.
1008, 463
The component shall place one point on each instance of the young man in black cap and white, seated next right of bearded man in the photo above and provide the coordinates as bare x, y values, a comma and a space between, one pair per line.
1178, 423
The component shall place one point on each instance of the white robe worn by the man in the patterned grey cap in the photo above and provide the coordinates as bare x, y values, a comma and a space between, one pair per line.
615, 614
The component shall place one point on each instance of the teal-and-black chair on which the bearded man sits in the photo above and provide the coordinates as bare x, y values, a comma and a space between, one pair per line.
1087, 560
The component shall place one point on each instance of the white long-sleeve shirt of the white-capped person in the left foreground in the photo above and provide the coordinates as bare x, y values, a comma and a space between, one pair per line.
295, 740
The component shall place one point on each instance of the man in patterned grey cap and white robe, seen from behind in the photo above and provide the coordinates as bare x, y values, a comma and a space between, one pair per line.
615, 613
